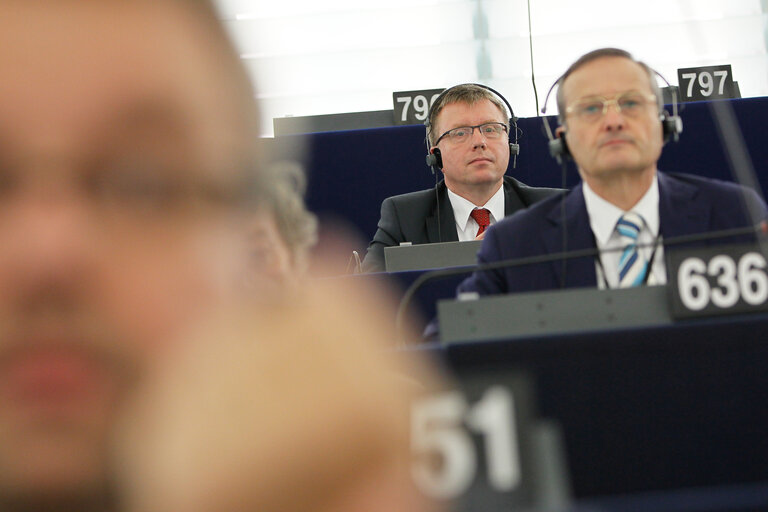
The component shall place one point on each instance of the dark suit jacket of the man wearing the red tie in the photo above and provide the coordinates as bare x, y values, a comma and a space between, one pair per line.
413, 217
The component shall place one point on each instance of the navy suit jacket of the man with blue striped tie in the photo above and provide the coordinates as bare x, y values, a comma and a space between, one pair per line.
687, 205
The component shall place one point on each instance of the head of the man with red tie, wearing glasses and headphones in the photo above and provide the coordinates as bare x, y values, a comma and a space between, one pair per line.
479, 157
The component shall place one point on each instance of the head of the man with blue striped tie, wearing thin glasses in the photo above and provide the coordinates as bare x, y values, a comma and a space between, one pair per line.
609, 108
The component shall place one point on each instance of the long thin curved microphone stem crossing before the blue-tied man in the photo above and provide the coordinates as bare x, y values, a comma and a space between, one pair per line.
759, 231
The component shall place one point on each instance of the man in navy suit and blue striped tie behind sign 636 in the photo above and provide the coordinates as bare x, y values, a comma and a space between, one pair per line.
612, 125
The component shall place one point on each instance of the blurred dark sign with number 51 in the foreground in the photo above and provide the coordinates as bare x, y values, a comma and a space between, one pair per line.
482, 439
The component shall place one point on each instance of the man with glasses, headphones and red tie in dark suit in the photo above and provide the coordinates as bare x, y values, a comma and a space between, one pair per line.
468, 136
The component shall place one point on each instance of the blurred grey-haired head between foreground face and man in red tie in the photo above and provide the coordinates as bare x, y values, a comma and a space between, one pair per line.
284, 230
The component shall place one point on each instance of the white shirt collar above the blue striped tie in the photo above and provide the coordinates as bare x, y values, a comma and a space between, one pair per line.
604, 215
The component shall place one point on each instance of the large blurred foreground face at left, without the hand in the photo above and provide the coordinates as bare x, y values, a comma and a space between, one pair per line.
126, 143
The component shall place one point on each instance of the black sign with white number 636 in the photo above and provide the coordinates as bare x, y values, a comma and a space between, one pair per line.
722, 280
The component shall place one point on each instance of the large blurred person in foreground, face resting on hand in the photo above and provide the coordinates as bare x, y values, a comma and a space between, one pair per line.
127, 131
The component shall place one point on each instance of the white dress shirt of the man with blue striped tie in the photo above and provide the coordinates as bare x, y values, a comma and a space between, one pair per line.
603, 217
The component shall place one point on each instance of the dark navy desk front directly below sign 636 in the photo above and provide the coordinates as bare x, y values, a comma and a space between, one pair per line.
650, 410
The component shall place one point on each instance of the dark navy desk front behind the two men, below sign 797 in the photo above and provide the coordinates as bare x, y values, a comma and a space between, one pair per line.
351, 172
